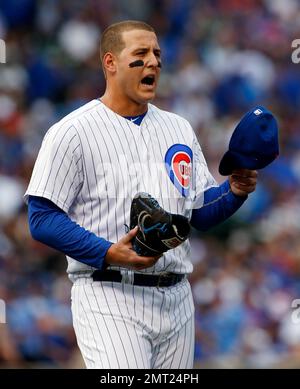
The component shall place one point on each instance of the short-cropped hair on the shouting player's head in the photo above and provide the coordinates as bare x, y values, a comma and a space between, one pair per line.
111, 39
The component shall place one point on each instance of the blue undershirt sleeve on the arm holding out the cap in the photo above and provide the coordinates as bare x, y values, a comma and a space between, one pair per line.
219, 204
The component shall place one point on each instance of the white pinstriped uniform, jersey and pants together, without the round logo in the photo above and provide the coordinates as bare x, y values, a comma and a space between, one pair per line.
91, 164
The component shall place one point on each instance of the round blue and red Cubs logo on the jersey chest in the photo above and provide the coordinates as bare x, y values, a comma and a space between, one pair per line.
178, 161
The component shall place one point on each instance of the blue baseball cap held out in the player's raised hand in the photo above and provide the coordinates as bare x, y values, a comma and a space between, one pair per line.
253, 144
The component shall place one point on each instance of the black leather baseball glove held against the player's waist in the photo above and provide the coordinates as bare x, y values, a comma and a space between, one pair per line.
159, 230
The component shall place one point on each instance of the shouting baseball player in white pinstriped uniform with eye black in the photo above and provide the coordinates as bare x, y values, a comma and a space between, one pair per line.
90, 166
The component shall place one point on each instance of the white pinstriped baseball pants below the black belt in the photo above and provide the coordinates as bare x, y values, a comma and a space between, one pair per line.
164, 339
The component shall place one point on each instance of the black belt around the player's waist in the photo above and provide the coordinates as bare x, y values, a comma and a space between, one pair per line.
162, 280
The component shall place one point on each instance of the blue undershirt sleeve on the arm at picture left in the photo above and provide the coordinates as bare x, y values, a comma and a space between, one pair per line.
53, 227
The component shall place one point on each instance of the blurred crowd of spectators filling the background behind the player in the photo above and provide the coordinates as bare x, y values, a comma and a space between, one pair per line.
220, 58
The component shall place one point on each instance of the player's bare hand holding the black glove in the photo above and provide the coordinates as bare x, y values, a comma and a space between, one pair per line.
122, 254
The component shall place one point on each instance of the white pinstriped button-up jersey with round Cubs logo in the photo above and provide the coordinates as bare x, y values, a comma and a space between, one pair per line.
93, 162
